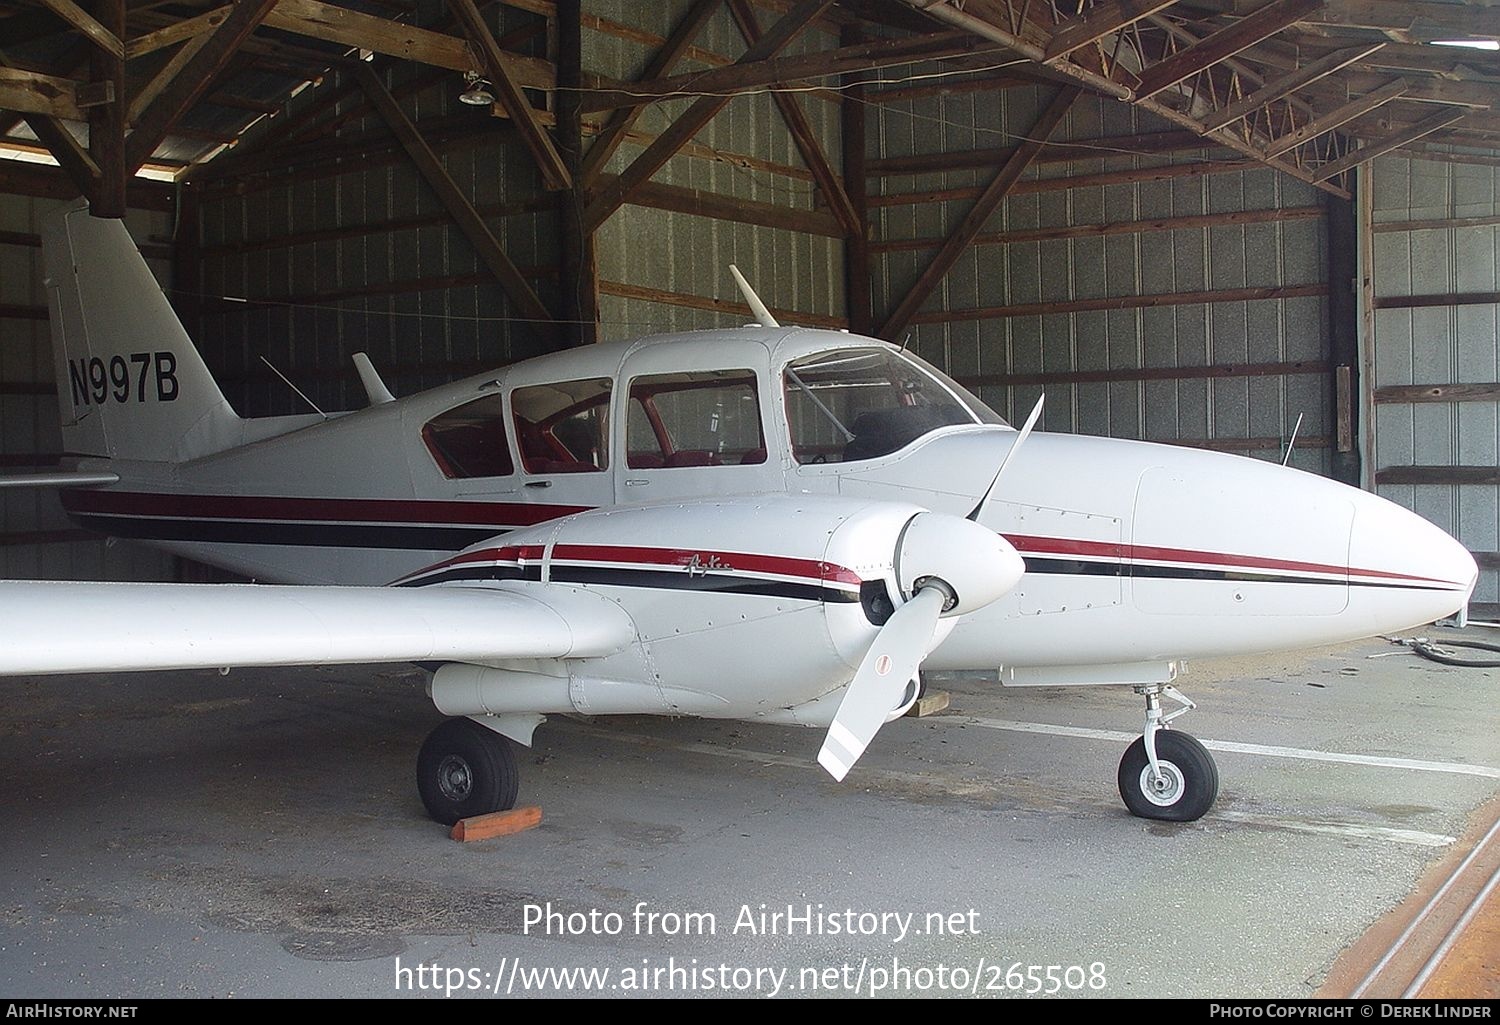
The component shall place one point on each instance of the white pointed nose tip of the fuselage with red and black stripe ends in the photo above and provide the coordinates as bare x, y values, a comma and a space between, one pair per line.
1408, 570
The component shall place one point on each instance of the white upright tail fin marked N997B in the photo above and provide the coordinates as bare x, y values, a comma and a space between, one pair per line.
130, 382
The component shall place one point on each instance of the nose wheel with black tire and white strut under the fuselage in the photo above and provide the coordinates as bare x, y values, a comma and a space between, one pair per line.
1168, 775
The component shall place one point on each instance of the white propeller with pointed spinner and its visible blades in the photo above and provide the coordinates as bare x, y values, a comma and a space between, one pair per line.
950, 565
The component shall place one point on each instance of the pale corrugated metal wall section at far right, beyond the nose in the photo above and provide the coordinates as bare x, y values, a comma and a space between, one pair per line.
1436, 277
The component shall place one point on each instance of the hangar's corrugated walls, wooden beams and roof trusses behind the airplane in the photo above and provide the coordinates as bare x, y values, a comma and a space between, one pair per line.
1204, 223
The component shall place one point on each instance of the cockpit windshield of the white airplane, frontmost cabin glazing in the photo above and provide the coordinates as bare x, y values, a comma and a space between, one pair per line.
863, 403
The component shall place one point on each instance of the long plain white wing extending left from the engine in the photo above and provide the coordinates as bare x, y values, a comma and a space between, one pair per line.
109, 628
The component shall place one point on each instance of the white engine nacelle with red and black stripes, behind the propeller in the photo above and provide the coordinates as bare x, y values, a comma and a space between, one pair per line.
799, 595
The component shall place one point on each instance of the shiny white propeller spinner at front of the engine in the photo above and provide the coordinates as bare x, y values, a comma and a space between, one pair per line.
973, 561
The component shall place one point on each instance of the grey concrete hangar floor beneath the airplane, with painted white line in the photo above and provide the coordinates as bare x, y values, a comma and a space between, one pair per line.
260, 835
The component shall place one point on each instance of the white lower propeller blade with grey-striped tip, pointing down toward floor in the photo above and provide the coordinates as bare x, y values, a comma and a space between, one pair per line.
887, 669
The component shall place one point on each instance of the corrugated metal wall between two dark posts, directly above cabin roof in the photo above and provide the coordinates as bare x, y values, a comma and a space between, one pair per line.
688, 254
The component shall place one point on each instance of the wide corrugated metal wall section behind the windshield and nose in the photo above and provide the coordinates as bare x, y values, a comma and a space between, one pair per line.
1280, 245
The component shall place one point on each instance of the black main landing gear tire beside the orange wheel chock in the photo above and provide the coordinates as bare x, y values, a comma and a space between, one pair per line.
466, 769
